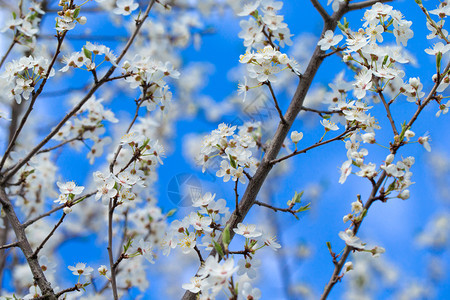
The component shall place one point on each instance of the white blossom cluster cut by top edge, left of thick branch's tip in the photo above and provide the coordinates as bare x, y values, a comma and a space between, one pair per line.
265, 21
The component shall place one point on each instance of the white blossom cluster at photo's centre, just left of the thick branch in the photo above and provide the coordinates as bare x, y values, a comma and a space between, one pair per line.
234, 151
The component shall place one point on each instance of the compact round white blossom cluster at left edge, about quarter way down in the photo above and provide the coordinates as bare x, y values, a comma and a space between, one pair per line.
24, 74
